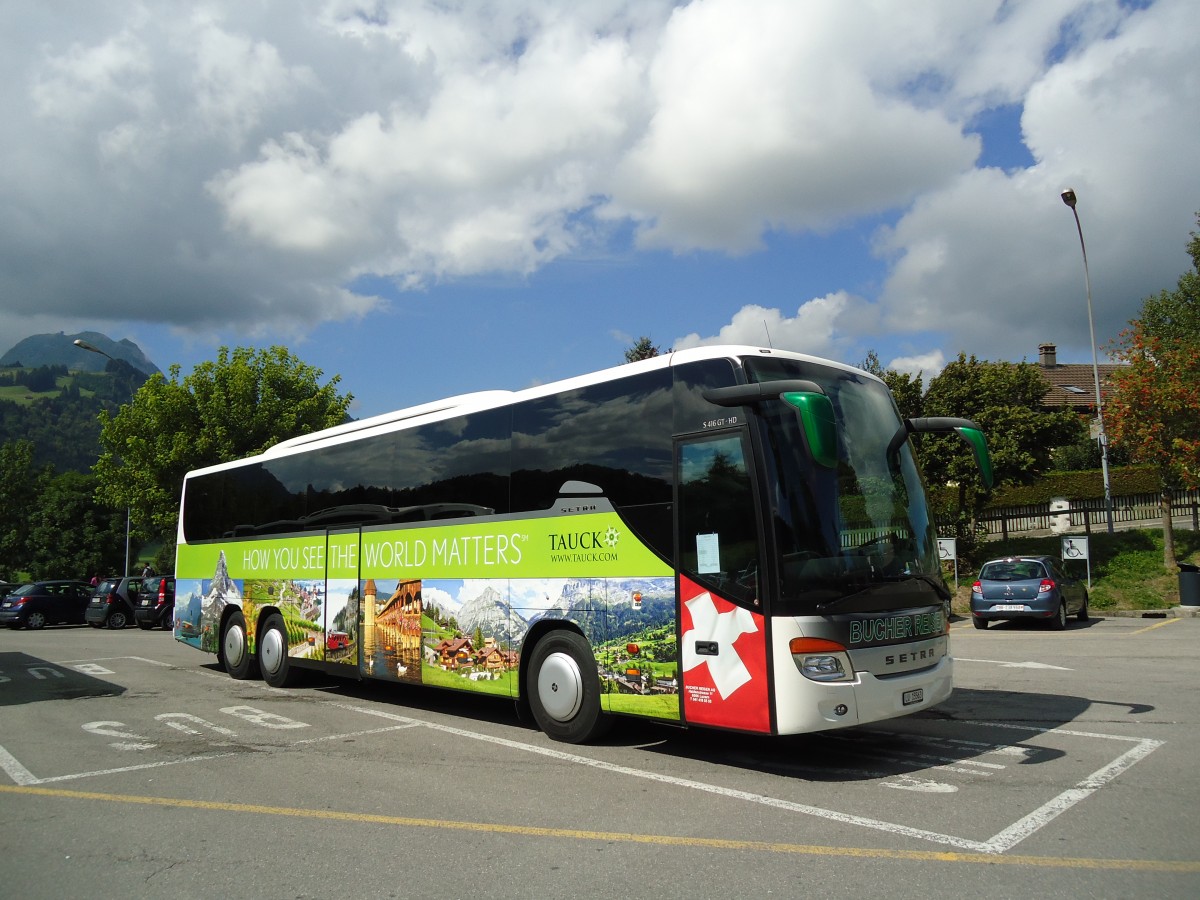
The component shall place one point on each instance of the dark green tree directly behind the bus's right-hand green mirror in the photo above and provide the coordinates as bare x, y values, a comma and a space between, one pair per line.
1006, 400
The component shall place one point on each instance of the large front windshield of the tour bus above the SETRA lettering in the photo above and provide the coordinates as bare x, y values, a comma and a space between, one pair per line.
856, 537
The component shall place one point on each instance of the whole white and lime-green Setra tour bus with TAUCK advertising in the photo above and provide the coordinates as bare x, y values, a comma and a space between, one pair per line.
728, 537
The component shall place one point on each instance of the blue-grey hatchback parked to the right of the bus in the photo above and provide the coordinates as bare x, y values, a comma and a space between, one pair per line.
1027, 589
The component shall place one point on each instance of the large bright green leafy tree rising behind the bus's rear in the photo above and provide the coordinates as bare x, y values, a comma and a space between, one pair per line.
237, 406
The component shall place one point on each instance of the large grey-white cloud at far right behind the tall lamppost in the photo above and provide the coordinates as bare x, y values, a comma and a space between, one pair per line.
989, 261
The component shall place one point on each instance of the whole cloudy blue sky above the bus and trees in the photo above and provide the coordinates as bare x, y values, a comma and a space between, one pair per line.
436, 199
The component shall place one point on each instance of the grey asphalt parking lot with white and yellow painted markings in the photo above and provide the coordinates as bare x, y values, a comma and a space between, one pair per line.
1064, 765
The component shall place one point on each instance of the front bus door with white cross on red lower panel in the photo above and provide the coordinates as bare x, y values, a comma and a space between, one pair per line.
719, 545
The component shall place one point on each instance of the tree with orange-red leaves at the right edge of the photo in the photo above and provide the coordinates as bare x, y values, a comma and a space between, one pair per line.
1155, 407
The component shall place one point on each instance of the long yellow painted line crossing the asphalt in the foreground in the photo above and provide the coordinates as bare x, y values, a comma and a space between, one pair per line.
664, 841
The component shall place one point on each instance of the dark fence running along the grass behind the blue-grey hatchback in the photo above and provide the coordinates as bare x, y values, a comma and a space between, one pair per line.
1129, 512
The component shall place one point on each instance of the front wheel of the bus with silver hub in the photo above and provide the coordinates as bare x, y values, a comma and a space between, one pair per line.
565, 689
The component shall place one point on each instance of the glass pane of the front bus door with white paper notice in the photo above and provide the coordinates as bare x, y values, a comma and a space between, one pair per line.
718, 536
